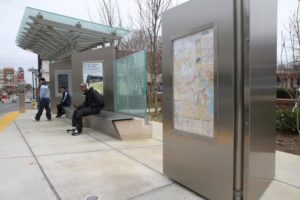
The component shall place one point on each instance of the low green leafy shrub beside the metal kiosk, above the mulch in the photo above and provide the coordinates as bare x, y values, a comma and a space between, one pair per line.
286, 120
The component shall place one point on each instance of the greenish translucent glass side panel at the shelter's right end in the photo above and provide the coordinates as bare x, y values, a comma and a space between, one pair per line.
131, 84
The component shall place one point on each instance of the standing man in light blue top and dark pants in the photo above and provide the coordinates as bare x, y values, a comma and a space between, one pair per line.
44, 100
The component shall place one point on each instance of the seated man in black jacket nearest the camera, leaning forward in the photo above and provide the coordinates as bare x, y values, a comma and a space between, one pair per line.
93, 104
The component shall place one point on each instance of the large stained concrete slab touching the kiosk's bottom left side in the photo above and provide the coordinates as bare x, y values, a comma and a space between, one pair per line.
108, 175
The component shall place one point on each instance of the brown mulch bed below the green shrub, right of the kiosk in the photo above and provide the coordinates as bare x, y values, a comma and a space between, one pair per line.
288, 142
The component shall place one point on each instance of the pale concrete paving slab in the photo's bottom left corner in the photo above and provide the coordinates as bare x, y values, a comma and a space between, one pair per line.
21, 178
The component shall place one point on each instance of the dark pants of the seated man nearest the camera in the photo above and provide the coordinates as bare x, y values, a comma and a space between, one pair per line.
82, 112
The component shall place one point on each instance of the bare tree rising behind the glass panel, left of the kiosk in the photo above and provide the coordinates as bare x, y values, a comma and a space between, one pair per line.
150, 15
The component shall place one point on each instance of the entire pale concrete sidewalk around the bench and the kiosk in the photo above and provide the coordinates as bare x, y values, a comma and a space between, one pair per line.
39, 160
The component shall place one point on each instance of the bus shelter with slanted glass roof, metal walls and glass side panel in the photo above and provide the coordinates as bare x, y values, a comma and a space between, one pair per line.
81, 51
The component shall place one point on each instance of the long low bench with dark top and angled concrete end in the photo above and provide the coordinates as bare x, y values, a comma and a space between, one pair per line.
120, 126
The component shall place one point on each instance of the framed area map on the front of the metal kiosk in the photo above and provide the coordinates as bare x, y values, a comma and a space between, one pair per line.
194, 83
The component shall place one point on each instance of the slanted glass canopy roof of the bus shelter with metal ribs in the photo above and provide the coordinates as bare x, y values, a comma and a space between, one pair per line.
56, 37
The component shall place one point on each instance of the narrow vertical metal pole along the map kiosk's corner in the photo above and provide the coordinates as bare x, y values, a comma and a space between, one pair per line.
238, 99
